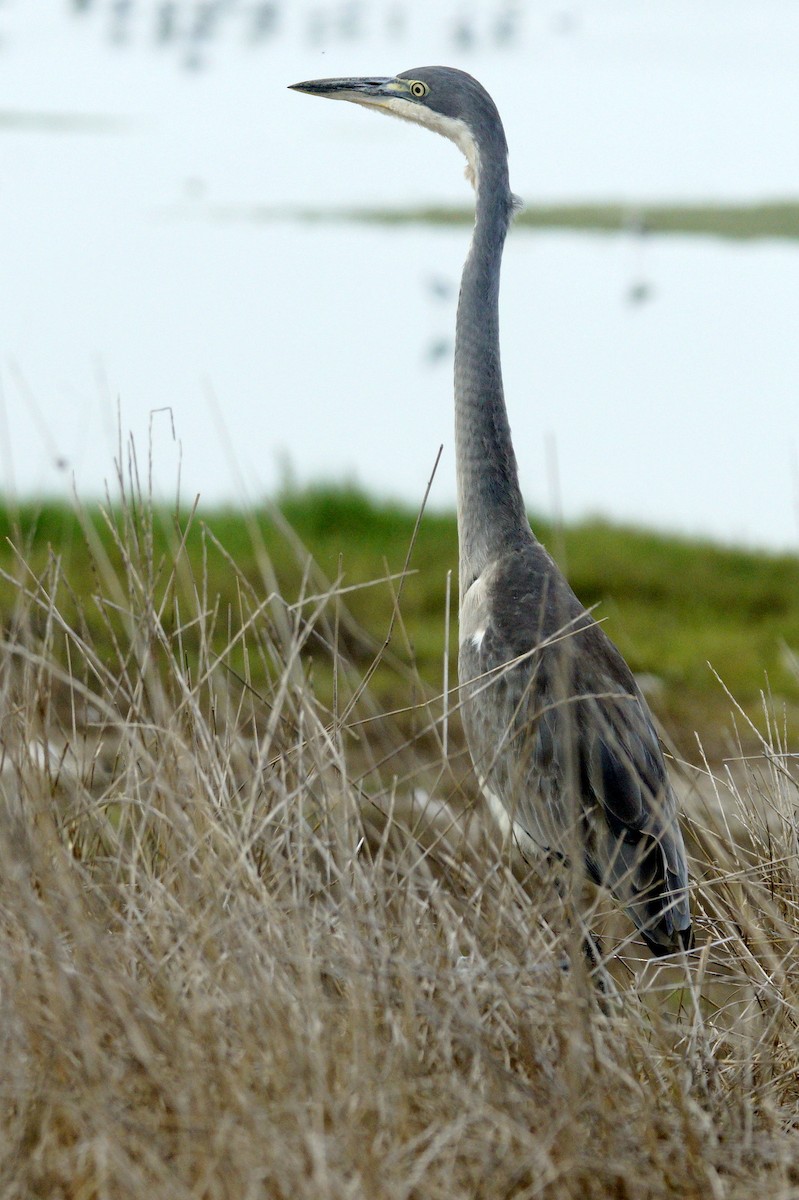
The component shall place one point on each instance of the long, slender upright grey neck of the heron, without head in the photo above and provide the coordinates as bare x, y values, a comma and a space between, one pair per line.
491, 511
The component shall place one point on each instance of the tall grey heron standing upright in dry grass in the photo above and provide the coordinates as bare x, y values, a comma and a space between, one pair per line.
561, 737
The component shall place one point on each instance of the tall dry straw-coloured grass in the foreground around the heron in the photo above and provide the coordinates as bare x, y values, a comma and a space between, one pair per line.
259, 949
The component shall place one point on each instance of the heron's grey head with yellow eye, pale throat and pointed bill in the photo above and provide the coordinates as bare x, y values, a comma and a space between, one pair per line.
442, 99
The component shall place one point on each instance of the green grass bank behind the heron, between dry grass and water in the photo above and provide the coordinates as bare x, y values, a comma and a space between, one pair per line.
693, 619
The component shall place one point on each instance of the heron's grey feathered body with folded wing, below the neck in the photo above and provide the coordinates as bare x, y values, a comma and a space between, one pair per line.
563, 739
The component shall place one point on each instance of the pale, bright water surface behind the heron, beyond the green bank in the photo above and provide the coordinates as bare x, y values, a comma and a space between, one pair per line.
663, 375
